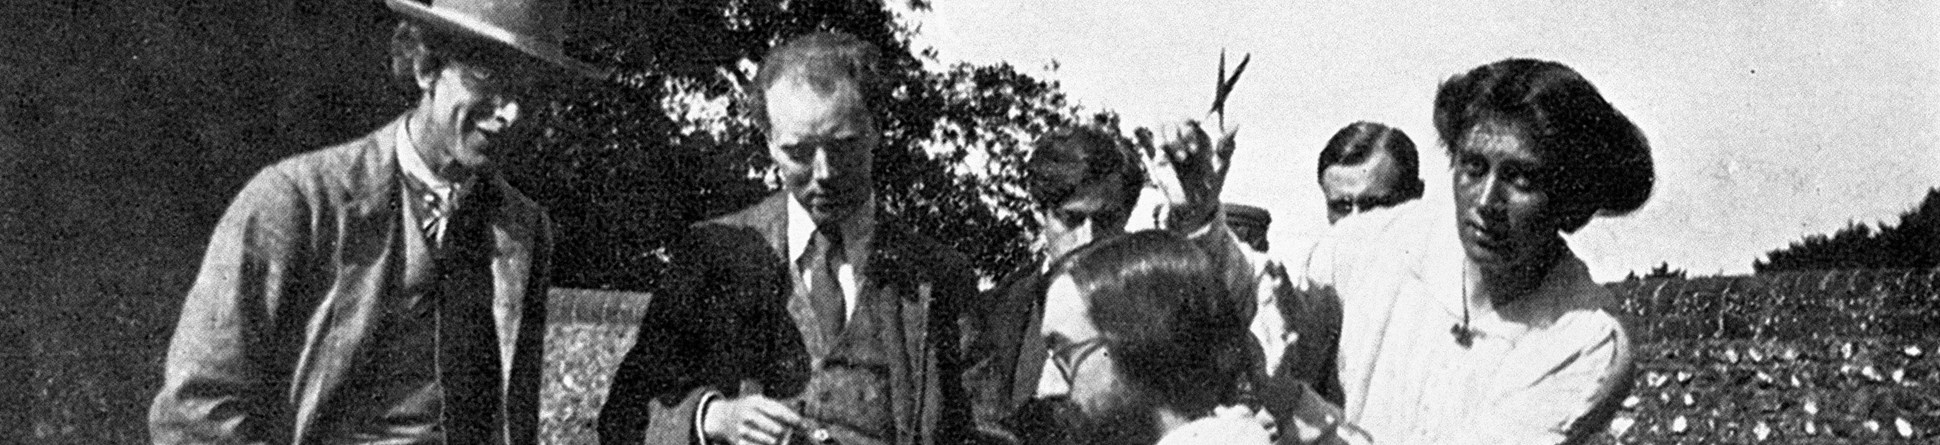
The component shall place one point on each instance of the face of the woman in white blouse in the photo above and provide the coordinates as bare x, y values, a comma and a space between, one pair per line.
1501, 203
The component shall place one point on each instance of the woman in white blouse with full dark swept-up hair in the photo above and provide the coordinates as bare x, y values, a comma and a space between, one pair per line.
1493, 333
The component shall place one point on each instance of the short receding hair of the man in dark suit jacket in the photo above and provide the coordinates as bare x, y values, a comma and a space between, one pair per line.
825, 61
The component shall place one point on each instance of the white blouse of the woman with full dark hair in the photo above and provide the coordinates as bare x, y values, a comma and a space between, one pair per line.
1534, 366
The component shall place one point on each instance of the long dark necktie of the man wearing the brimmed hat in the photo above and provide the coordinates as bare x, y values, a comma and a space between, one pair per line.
467, 331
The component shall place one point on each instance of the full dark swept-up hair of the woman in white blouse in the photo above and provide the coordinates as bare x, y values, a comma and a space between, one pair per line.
1600, 162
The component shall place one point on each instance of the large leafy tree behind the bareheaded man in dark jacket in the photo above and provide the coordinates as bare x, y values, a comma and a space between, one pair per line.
626, 166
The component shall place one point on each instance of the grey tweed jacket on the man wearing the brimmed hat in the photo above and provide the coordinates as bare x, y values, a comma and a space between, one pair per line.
294, 287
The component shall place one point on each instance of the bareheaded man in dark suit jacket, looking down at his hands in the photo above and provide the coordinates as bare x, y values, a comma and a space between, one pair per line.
810, 316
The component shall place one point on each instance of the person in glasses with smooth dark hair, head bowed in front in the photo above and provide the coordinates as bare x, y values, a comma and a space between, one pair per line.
1148, 345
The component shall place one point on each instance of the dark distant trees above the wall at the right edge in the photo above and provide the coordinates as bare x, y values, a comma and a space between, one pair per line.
1908, 246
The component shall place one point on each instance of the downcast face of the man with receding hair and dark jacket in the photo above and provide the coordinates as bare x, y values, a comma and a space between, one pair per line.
822, 143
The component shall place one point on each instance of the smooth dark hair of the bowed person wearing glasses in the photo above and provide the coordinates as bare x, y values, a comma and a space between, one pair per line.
1163, 312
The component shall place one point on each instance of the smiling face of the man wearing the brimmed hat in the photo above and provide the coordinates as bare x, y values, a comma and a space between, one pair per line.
469, 110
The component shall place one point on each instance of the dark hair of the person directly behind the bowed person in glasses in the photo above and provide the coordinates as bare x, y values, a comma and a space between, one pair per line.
1105, 158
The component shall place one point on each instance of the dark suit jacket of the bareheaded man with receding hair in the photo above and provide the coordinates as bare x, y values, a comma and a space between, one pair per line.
721, 320
